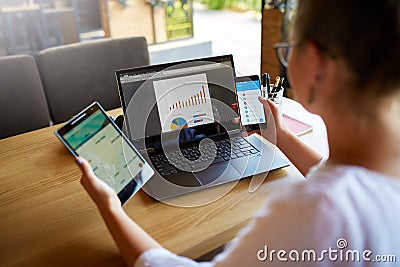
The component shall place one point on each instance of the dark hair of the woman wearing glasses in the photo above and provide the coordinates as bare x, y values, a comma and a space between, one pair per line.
364, 33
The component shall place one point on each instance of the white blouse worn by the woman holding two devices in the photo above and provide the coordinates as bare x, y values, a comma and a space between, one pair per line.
339, 216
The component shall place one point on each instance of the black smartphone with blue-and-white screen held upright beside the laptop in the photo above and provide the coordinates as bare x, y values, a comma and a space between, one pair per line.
251, 111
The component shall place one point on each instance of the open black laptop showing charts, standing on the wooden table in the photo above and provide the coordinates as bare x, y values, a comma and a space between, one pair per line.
180, 116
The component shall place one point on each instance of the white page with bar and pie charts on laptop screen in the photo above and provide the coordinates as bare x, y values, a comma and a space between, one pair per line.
183, 102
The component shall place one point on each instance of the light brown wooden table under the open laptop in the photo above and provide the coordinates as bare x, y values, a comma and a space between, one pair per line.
47, 219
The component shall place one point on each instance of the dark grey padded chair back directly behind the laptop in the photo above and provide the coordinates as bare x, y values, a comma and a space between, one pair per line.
75, 75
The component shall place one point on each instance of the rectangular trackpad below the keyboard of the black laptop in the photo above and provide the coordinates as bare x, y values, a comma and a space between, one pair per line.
216, 174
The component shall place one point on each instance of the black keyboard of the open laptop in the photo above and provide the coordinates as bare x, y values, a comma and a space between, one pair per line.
226, 150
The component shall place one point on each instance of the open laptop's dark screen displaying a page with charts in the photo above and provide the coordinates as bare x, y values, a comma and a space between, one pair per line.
192, 98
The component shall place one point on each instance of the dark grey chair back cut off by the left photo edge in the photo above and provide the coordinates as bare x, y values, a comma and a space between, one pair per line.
23, 105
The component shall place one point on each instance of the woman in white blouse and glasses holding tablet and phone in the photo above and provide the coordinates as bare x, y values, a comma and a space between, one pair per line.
343, 65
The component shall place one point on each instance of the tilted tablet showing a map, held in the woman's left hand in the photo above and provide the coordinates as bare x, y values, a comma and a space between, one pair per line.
94, 136
